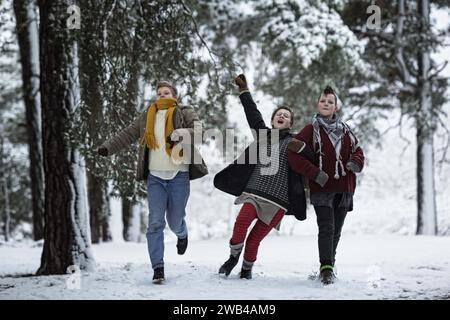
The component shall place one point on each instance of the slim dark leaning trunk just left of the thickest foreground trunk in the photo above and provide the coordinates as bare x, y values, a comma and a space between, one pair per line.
28, 37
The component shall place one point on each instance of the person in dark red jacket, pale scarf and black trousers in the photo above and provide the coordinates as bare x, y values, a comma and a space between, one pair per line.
331, 175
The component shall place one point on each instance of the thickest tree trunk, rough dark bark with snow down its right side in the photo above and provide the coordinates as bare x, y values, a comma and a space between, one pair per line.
67, 236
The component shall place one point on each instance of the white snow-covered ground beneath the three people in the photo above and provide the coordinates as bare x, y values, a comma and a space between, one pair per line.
369, 267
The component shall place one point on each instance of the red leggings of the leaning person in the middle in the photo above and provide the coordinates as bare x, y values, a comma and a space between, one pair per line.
245, 217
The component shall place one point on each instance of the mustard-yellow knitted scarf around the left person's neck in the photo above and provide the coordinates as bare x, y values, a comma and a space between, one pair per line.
149, 136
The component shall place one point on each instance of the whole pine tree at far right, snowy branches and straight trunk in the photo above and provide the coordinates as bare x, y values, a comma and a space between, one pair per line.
410, 80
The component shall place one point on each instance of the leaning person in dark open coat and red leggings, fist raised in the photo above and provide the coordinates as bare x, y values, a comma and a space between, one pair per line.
267, 194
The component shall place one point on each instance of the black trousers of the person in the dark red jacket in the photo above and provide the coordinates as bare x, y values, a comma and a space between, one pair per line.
330, 221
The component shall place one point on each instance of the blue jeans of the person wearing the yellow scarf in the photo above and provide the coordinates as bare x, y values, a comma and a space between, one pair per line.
169, 196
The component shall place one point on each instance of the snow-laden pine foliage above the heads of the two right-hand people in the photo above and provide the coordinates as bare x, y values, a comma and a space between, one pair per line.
299, 48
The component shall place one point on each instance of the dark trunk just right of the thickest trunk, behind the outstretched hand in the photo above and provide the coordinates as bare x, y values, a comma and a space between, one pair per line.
92, 74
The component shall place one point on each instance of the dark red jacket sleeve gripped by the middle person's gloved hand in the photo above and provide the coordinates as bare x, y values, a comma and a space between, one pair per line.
302, 163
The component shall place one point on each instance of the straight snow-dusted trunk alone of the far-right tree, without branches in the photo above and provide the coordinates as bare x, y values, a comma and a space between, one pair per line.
426, 195
